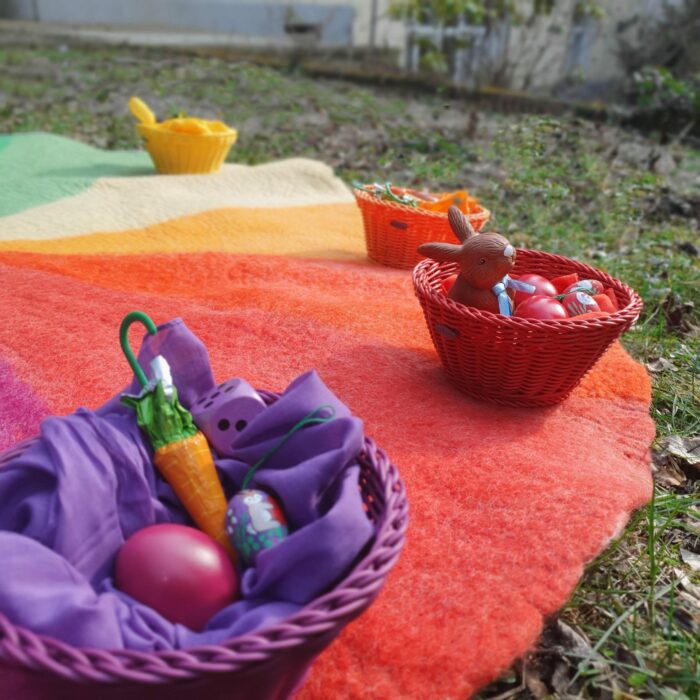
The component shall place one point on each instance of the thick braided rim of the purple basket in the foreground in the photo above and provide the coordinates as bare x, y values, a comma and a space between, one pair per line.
347, 599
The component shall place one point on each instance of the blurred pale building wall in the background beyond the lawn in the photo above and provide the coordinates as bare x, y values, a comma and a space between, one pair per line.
543, 52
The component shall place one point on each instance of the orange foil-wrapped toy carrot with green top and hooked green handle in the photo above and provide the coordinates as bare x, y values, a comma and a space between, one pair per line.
182, 453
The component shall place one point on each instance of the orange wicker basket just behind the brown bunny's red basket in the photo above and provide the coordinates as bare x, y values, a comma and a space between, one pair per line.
394, 231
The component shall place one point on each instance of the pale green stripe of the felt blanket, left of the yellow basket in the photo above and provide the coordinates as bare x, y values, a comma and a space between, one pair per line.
41, 168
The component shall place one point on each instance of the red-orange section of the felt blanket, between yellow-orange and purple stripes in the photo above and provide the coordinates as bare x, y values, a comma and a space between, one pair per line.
506, 505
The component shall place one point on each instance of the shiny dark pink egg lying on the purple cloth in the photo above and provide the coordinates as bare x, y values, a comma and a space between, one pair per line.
178, 571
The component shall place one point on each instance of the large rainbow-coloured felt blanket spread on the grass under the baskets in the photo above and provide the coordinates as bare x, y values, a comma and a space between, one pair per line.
267, 266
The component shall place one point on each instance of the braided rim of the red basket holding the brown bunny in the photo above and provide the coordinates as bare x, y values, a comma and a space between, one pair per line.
622, 316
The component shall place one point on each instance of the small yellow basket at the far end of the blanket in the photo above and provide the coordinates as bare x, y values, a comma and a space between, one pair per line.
175, 152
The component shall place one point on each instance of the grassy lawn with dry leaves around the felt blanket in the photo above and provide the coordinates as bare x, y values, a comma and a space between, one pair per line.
557, 185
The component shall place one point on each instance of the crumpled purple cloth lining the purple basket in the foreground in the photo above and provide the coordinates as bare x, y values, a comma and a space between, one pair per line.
72, 499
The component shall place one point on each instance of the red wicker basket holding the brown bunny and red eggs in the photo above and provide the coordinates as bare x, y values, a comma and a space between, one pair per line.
516, 361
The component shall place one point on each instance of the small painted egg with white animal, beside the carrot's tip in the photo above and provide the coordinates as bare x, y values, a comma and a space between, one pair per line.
254, 522
